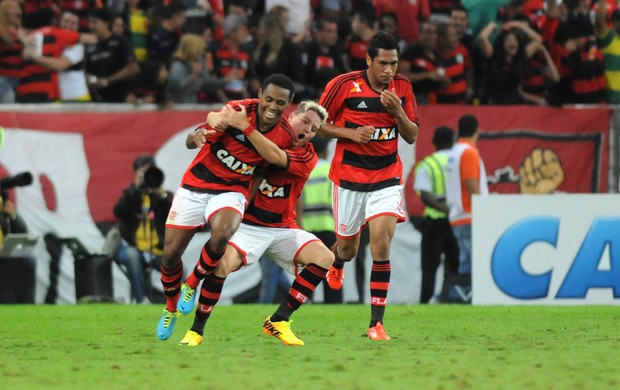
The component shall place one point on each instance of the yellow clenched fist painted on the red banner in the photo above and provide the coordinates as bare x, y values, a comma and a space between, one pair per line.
541, 172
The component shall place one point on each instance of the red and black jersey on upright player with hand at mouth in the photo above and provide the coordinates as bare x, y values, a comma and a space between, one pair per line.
351, 102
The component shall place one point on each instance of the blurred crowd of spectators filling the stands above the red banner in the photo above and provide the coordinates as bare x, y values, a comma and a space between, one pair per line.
539, 52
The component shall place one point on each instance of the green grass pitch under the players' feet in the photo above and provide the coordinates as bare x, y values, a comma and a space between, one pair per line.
433, 347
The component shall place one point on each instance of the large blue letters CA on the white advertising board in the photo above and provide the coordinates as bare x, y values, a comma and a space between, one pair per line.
584, 272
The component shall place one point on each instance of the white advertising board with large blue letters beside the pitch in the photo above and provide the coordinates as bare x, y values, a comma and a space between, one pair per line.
561, 249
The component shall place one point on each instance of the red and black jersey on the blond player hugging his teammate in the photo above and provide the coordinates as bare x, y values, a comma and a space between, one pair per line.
275, 201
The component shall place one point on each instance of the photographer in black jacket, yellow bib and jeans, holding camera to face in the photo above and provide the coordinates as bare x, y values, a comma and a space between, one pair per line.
142, 211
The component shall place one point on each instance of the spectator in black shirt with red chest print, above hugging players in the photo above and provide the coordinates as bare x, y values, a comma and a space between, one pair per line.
324, 54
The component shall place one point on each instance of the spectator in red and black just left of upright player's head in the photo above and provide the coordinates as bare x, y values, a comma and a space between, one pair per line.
363, 28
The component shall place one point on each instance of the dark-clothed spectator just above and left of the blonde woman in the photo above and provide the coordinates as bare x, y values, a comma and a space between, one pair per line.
163, 39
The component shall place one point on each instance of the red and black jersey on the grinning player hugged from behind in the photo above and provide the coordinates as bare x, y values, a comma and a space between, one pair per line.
227, 161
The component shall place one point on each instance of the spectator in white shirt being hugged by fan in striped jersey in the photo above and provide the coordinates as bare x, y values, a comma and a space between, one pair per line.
70, 65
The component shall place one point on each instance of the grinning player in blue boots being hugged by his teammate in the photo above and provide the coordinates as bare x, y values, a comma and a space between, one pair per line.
215, 187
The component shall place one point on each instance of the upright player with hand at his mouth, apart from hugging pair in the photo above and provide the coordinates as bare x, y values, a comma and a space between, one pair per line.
368, 110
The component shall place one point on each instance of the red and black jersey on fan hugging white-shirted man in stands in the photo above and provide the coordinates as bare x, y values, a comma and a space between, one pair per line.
38, 84
